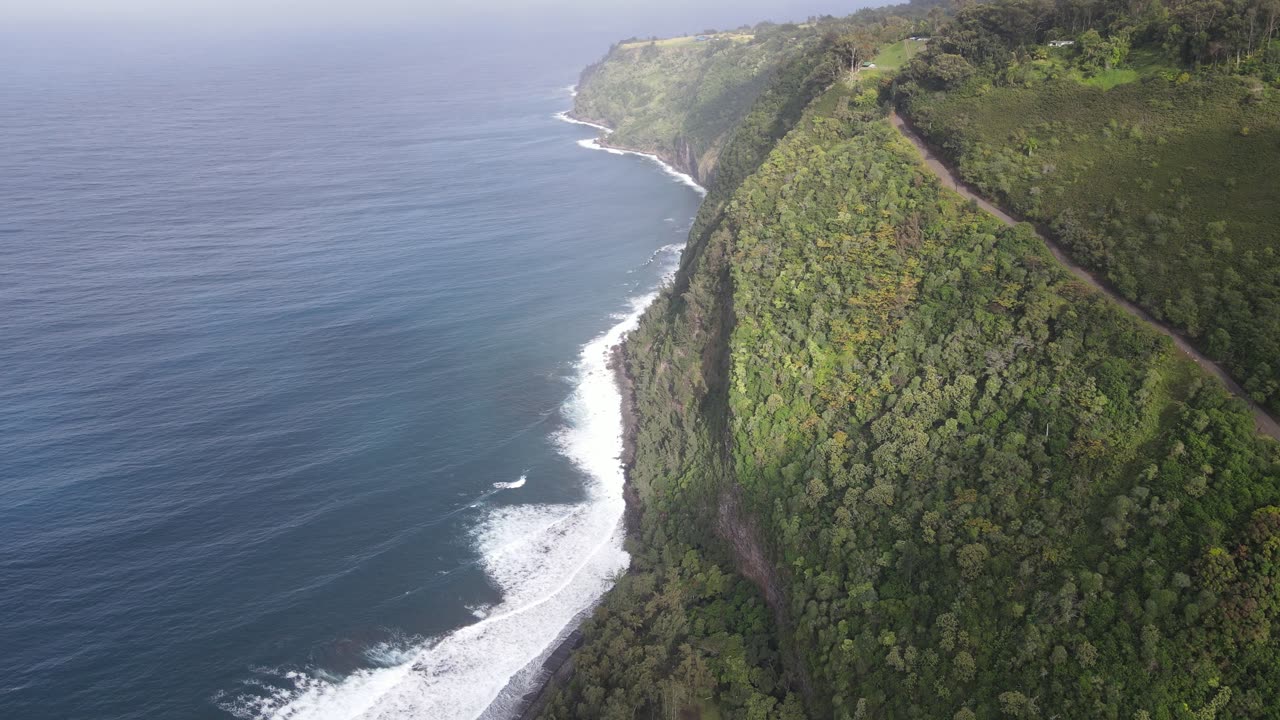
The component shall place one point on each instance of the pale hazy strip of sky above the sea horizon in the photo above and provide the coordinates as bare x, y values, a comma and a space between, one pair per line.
643, 17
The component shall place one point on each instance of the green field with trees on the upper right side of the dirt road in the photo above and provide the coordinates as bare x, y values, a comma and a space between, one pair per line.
1154, 174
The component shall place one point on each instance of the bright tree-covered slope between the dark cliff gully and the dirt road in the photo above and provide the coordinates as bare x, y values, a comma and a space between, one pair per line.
976, 472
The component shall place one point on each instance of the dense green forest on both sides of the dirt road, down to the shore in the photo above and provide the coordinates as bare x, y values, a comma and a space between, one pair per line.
893, 461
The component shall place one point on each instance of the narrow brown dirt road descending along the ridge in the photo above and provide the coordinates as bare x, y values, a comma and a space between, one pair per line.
1265, 423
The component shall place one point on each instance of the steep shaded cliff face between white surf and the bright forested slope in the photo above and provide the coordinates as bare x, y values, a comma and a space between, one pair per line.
702, 601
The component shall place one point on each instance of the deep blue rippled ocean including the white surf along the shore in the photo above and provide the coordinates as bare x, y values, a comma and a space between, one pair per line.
284, 322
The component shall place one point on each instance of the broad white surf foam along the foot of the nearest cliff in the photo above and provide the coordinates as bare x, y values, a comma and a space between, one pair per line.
552, 563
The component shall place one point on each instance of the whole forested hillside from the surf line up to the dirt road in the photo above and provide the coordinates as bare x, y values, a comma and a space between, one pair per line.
894, 461
